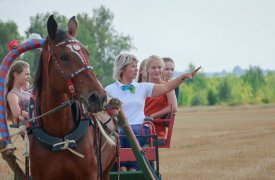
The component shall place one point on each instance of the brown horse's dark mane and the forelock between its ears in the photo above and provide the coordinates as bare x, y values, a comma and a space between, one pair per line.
37, 85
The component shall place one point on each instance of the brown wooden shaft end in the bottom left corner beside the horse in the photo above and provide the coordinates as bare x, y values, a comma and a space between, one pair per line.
10, 158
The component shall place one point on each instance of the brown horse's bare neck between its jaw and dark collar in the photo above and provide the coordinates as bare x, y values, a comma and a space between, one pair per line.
57, 123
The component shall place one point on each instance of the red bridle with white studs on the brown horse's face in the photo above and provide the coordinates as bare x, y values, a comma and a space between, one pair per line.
75, 47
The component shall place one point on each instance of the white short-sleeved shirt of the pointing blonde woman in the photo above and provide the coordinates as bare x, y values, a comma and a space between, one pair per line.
133, 104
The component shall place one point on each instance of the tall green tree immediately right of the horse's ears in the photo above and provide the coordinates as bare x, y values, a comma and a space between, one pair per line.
105, 42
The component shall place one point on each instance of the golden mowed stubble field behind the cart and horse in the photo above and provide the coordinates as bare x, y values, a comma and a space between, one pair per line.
215, 143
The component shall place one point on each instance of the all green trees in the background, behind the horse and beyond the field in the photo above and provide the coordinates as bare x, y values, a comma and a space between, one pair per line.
104, 43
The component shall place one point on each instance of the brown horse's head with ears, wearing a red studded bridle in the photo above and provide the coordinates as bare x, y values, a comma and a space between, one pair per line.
65, 62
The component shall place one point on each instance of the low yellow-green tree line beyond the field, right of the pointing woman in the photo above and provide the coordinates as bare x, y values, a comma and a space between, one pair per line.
254, 87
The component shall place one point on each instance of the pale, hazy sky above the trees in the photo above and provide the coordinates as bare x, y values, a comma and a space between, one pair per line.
215, 34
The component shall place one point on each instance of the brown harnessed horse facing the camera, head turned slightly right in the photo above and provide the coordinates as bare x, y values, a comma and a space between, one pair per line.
64, 72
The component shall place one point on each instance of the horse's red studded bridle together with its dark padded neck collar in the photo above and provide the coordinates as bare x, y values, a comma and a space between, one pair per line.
81, 119
